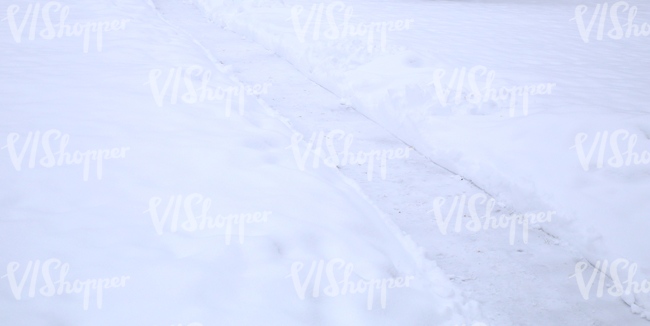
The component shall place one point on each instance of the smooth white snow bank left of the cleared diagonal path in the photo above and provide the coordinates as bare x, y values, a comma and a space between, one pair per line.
174, 219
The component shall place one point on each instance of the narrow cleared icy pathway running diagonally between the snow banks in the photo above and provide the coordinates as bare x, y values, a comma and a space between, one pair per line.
519, 284
